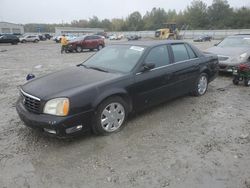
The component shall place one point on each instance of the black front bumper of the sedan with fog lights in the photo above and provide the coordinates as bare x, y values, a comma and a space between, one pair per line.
56, 125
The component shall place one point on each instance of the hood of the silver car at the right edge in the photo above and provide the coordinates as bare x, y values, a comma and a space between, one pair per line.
228, 51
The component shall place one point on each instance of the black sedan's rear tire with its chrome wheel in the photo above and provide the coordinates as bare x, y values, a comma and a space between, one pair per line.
201, 85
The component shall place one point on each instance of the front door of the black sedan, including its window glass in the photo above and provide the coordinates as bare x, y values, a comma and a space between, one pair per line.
153, 86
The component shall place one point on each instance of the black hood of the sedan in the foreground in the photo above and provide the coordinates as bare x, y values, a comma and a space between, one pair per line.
56, 84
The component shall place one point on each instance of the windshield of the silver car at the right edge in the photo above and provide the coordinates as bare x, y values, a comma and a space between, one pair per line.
235, 42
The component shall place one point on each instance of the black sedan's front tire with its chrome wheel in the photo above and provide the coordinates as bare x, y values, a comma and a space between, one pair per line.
110, 116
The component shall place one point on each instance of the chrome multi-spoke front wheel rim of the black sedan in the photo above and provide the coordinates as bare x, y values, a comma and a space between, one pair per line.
112, 117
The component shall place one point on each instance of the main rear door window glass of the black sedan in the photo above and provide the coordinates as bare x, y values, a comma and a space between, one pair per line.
180, 52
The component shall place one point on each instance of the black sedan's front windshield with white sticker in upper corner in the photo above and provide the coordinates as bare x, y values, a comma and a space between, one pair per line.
121, 58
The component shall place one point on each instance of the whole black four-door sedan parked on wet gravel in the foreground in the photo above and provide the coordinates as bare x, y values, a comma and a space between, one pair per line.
100, 93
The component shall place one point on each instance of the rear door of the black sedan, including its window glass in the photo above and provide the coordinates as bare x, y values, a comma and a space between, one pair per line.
185, 68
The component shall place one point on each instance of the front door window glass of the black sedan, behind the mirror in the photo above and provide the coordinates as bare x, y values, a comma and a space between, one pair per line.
159, 56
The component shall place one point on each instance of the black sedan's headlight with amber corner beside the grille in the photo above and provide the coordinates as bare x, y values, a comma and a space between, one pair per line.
57, 106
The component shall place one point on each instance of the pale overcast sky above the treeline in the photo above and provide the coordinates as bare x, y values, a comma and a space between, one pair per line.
58, 11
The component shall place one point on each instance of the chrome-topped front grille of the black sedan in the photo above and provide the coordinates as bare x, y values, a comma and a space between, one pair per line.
30, 102
